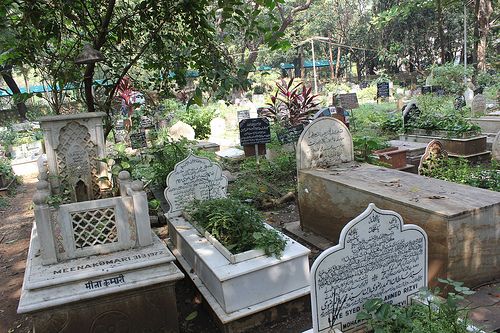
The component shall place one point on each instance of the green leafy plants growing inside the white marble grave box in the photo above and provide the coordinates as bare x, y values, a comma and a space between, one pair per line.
237, 226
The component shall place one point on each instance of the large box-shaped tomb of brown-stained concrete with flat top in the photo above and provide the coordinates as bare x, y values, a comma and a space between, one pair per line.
462, 222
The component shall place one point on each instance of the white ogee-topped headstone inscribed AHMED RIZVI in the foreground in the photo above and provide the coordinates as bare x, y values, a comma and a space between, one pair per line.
377, 257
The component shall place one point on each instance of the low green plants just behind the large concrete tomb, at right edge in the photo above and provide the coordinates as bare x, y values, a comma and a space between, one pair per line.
462, 172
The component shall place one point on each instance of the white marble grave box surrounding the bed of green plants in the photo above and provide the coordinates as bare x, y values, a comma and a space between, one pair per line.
236, 287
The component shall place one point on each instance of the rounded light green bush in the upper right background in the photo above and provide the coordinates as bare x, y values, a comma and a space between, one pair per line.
450, 77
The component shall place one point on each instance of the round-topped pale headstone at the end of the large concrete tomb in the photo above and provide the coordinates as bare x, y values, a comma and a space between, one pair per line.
323, 143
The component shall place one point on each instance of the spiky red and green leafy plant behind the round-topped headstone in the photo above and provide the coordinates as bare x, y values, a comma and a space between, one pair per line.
292, 104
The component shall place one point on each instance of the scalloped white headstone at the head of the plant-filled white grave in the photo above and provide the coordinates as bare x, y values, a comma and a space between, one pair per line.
194, 178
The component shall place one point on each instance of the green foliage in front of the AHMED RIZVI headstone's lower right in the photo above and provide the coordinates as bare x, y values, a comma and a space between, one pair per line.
431, 315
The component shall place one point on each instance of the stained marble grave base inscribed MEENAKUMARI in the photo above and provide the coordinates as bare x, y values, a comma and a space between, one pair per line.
102, 292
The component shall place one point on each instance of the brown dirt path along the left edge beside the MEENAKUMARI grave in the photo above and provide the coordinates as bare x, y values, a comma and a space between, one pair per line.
16, 221
